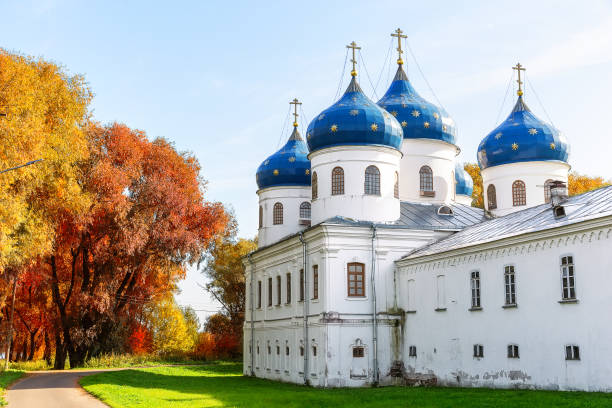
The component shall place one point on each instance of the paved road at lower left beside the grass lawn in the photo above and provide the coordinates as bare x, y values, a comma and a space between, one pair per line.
52, 389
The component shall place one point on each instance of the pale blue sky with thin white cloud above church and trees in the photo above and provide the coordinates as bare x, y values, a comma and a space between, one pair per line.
216, 78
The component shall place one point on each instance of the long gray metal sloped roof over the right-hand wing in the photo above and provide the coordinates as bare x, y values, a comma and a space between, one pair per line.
594, 204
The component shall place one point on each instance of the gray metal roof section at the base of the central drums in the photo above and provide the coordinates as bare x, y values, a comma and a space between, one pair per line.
421, 216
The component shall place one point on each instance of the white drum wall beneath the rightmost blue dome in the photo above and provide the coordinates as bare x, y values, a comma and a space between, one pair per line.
533, 174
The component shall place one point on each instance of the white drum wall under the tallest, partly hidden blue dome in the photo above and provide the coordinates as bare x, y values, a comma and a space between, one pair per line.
438, 155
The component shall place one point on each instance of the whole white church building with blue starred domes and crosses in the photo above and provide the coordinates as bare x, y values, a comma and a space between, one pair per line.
373, 267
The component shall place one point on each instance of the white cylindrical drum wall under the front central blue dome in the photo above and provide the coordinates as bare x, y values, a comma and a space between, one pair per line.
354, 203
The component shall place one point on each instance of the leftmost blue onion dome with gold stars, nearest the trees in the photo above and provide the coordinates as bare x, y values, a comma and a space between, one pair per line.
287, 167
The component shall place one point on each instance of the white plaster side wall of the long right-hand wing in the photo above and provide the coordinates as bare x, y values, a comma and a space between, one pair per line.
540, 325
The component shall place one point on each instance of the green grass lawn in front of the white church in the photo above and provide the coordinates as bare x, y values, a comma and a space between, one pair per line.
222, 385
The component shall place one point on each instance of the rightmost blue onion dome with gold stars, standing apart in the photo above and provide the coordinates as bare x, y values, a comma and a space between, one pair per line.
522, 137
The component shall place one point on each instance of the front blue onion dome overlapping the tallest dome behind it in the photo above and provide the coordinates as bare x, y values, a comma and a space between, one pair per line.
354, 120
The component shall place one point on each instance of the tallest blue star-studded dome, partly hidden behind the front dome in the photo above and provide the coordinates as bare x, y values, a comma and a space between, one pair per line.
419, 119
